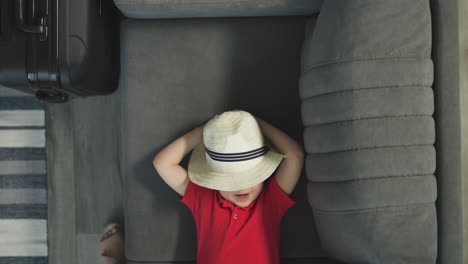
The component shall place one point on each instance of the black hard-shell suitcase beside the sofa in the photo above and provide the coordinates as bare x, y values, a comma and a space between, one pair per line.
60, 49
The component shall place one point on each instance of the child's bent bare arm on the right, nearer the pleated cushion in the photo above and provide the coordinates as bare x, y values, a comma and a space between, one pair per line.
289, 171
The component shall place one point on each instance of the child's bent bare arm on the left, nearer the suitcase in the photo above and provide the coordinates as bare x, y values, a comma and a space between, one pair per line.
166, 162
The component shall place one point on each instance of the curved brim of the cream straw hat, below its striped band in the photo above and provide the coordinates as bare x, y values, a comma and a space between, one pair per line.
200, 173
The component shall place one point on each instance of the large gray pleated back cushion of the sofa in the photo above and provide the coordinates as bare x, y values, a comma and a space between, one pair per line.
367, 105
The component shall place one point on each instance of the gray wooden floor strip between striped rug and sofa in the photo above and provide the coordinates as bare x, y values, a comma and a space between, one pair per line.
83, 196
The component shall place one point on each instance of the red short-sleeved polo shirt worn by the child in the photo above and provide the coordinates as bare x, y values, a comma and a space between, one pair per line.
228, 233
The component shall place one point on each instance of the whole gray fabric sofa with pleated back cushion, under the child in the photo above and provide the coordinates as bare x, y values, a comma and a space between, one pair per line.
364, 85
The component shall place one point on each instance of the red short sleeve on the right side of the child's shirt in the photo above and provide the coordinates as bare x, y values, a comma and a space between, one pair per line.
280, 200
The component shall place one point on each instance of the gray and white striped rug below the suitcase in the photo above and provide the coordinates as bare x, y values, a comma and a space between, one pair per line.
23, 181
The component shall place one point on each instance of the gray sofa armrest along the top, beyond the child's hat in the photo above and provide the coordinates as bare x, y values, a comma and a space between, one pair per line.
216, 8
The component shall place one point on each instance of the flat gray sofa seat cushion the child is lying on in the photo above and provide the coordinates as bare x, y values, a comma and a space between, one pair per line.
177, 74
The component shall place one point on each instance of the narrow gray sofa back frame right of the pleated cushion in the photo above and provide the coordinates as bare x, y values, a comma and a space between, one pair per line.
448, 54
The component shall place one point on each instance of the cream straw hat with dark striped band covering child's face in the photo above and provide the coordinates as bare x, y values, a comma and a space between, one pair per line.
233, 155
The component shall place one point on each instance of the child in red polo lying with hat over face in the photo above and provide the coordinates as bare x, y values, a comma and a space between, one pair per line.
236, 205
